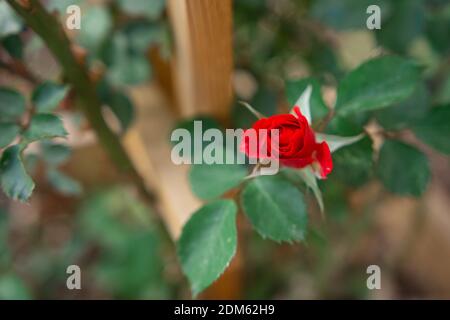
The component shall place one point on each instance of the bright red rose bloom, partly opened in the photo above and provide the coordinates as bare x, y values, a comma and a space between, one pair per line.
297, 146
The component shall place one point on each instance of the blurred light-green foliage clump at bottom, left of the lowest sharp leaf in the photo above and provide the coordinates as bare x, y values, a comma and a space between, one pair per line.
129, 264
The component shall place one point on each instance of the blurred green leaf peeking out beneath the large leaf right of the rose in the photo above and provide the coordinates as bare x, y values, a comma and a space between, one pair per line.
406, 113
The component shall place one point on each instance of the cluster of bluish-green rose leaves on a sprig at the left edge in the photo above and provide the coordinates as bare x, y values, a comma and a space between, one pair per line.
15, 181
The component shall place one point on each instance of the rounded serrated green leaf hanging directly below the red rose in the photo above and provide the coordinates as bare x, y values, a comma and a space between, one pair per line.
275, 208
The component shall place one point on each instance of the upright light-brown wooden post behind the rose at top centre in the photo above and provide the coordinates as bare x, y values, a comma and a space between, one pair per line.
203, 61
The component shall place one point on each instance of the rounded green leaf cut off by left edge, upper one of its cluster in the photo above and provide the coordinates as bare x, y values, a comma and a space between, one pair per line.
12, 104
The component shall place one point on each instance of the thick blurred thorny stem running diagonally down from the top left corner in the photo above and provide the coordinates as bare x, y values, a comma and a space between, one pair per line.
48, 28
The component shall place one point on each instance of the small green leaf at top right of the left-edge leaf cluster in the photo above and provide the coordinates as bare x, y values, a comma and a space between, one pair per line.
47, 96
